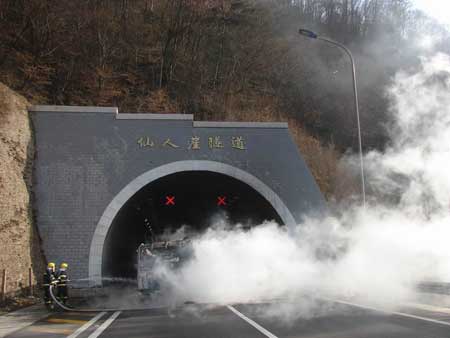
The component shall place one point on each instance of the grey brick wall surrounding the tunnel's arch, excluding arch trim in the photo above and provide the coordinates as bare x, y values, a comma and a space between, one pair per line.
86, 156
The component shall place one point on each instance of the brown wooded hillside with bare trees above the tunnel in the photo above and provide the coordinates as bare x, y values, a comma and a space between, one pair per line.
217, 59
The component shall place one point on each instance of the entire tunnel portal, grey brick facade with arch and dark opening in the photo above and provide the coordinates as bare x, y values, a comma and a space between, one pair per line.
102, 179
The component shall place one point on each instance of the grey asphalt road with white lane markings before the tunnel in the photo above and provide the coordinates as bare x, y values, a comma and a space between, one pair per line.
281, 319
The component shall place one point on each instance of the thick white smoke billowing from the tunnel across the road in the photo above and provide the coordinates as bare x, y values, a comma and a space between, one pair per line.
377, 254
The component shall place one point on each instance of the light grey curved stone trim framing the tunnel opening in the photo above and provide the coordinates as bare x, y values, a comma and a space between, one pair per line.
111, 211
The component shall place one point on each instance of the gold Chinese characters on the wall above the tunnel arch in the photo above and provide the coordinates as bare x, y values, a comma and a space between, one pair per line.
194, 143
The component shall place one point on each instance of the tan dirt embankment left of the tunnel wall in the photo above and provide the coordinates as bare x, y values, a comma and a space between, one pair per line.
19, 242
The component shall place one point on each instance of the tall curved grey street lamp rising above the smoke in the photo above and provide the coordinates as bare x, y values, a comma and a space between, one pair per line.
311, 35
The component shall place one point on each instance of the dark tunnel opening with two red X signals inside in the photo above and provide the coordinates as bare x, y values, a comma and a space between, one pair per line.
177, 205
